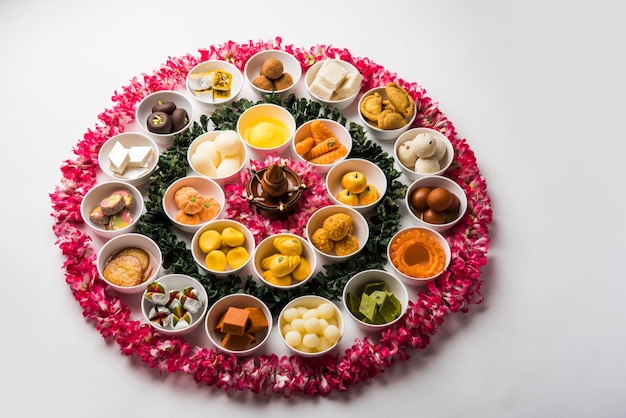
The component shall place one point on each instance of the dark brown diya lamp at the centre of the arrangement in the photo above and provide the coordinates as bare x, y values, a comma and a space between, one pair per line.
275, 191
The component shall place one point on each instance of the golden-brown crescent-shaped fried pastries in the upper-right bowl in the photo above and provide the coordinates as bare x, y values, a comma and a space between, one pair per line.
391, 112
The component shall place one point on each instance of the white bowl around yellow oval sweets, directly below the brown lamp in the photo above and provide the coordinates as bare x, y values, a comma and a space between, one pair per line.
266, 248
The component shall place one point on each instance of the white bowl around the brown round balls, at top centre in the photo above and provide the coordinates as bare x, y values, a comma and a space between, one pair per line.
291, 66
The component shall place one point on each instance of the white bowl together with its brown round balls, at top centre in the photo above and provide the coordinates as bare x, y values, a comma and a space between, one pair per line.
272, 72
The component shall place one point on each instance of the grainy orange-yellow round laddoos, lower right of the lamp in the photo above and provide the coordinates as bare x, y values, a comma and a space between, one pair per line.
335, 235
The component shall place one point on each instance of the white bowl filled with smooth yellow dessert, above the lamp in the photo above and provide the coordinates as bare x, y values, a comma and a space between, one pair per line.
253, 122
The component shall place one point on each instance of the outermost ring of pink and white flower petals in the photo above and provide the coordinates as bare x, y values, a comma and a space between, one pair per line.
455, 291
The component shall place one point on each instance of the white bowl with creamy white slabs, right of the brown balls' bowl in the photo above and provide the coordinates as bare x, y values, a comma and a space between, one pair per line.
333, 82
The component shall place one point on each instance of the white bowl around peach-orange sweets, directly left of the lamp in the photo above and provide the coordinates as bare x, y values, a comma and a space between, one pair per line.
205, 186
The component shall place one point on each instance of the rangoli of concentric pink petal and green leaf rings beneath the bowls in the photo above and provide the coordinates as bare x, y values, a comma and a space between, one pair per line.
455, 291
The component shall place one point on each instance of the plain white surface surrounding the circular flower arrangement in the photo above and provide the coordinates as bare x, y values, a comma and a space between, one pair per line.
536, 87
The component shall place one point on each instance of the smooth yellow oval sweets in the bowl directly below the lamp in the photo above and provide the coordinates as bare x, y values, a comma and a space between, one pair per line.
288, 264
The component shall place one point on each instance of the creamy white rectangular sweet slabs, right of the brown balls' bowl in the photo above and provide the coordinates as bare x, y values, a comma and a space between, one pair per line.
333, 82
